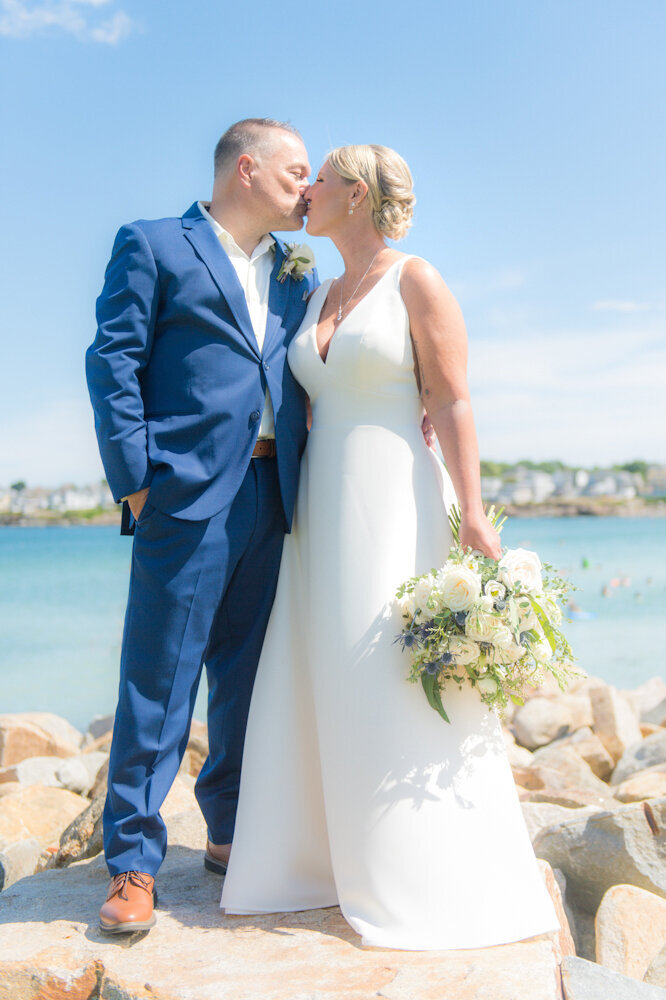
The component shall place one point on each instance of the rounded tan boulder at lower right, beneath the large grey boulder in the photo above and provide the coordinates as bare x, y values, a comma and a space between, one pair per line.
630, 927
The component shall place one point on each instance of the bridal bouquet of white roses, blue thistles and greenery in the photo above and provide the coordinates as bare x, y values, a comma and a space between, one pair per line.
494, 624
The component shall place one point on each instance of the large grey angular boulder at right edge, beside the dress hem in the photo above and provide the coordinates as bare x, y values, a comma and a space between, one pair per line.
625, 846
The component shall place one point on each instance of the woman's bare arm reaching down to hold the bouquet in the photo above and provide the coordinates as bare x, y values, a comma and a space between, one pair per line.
440, 349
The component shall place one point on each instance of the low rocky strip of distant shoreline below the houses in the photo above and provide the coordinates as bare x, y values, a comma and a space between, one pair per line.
576, 507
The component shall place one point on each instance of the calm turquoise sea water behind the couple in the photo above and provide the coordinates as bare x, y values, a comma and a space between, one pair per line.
63, 593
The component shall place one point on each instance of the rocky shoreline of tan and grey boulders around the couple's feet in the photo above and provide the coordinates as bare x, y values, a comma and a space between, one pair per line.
590, 770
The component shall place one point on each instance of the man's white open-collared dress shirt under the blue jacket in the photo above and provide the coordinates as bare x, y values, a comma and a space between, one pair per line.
254, 274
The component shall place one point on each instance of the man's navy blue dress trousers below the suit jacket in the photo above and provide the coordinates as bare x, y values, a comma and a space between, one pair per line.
200, 592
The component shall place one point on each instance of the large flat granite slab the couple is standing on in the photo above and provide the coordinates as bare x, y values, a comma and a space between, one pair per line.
49, 941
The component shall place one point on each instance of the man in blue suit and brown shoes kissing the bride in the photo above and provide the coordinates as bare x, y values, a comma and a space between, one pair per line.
201, 427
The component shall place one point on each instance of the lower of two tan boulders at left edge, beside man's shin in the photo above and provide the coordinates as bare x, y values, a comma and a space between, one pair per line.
39, 812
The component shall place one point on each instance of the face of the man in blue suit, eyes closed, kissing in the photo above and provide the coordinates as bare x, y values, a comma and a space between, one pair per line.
280, 179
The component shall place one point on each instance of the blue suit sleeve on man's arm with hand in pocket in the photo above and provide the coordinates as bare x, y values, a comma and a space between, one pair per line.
126, 313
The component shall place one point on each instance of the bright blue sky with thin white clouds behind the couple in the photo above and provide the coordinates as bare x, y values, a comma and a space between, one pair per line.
534, 129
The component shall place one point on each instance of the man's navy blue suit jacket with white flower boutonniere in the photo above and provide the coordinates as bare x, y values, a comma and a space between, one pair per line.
175, 375
